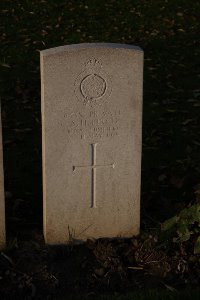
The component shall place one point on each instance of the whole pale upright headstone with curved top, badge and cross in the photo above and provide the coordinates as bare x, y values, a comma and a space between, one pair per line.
91, 118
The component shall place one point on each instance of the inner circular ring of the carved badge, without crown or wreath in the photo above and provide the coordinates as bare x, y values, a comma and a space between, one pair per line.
93, 87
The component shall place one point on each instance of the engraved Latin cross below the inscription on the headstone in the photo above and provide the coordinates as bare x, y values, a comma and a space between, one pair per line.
93, 168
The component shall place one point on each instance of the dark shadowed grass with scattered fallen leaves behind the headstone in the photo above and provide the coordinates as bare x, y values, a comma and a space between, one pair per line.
168, 31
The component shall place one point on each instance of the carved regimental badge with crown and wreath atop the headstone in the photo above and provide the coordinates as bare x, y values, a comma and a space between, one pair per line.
93, 85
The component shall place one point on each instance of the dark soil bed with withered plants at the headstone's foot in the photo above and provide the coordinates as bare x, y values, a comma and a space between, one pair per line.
32, 270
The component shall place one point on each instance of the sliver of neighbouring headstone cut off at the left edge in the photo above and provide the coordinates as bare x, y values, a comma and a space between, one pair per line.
2, 202
